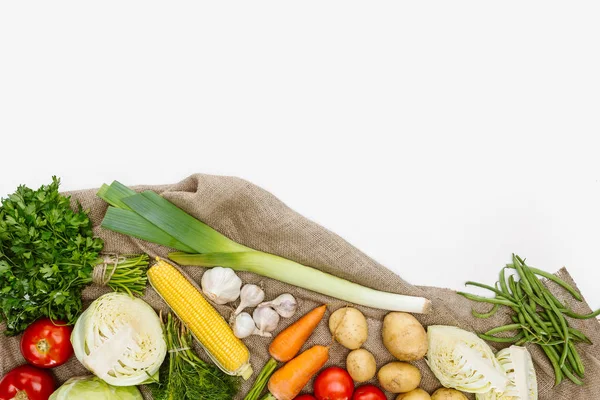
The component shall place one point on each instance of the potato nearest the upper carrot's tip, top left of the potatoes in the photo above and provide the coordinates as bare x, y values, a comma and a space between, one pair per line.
349, 327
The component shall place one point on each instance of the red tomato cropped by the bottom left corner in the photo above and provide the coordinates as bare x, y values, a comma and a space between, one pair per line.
26, 383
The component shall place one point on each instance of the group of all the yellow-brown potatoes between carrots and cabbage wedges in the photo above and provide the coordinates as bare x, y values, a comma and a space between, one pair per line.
403, 336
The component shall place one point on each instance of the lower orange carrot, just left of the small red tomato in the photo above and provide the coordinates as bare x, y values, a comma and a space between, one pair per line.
289, 380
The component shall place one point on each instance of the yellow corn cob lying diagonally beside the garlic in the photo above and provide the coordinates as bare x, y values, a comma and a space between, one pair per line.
206, 324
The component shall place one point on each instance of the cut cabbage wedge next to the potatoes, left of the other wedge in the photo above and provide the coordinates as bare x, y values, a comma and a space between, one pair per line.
461, 360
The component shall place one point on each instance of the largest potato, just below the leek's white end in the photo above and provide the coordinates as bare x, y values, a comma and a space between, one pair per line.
404, 336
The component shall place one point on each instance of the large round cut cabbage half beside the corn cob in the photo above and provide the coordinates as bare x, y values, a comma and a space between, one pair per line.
120, 339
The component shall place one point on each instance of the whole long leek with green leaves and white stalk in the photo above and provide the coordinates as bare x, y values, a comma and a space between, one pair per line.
150, 217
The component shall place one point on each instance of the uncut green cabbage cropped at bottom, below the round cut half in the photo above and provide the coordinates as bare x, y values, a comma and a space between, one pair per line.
94, 388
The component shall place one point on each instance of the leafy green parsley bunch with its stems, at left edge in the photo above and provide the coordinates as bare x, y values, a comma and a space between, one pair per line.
47, 255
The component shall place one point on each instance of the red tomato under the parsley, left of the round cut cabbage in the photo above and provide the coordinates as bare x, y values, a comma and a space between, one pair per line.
47, 344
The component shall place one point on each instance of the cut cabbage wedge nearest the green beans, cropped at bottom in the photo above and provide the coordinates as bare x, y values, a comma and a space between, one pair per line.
517, 363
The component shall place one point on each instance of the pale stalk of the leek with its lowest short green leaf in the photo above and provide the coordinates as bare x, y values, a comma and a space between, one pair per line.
296, 274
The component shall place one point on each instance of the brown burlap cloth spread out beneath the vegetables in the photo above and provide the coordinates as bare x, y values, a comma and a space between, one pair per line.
255, 218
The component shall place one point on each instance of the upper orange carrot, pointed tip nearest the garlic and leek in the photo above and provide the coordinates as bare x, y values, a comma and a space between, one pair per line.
289, 342
